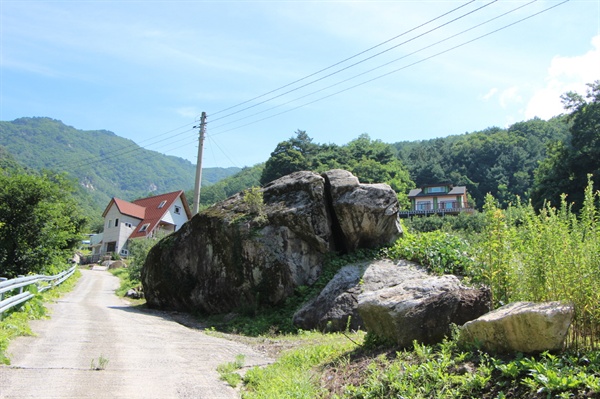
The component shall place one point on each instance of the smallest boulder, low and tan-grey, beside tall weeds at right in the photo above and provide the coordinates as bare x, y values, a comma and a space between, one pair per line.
521, 327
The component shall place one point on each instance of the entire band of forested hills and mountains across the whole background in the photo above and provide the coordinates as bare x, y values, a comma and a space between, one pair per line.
534, 160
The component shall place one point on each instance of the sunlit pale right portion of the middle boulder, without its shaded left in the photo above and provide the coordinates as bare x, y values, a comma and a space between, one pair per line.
418, 306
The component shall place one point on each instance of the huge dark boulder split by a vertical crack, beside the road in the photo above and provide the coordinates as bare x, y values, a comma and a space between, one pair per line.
237, 255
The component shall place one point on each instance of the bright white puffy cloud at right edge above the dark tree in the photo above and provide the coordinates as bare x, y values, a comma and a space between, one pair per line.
565, 74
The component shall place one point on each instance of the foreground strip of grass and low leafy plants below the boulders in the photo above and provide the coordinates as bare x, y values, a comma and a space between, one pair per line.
331, 366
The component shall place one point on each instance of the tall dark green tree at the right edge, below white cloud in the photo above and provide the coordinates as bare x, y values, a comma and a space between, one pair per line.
569, 162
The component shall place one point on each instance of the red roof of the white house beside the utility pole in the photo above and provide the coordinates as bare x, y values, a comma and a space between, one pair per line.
149, 210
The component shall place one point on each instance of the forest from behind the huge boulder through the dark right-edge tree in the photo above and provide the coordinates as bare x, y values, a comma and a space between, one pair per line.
531, 160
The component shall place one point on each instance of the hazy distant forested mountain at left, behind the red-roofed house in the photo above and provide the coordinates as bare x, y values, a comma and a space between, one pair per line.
103, 164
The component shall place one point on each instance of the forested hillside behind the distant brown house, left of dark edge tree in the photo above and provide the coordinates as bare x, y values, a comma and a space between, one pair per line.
498, 161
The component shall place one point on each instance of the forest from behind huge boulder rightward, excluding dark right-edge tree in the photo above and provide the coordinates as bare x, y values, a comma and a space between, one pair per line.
498, 161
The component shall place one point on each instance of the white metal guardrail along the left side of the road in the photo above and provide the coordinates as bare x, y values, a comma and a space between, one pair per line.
20, 282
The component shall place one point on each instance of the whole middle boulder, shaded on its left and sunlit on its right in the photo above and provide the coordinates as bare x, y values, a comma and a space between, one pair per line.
430, 303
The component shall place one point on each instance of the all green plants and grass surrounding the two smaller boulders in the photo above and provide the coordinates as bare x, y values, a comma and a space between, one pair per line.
521, 254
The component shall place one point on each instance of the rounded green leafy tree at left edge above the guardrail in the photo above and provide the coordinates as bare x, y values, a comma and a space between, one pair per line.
40, 223
